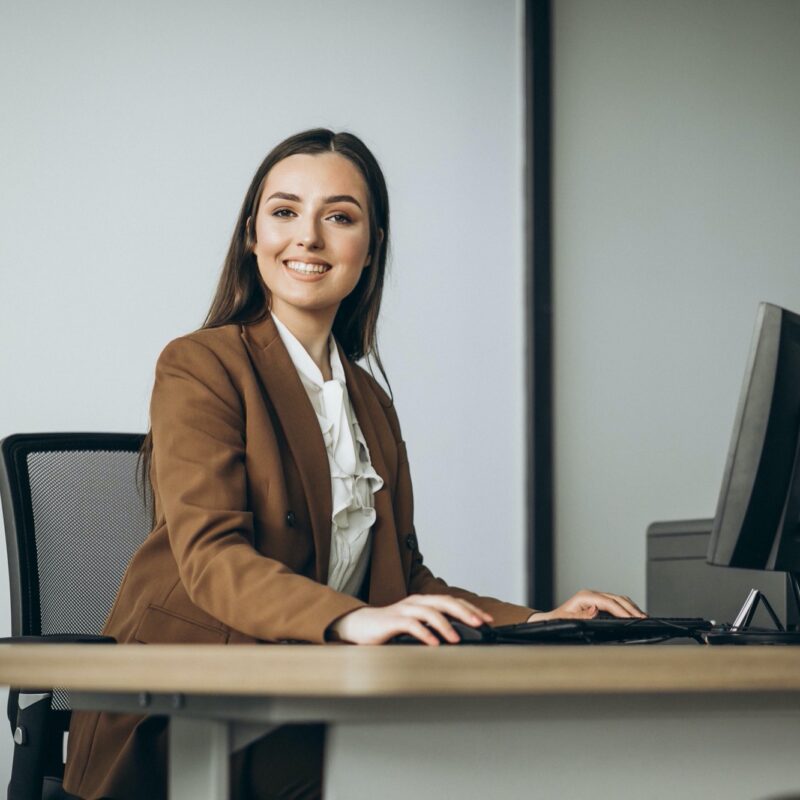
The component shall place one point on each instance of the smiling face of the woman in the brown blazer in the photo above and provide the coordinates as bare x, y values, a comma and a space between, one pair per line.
312, 234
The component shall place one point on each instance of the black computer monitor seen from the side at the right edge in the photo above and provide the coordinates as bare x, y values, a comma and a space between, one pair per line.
757, 523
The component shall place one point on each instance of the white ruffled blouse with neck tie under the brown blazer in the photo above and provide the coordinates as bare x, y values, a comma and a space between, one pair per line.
353, 480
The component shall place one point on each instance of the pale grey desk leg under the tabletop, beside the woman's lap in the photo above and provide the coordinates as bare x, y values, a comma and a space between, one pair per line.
198, 758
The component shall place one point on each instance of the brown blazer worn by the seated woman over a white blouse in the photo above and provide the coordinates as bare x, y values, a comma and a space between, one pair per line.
239, 552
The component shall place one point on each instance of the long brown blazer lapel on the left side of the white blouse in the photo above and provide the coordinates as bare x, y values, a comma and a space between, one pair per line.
301, 429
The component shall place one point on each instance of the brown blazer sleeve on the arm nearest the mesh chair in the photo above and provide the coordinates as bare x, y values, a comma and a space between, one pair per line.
197, 420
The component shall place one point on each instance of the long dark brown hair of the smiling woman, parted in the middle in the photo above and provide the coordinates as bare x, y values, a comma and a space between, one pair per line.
242, 297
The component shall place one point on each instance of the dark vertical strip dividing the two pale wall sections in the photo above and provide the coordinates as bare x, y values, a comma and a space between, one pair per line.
538, 303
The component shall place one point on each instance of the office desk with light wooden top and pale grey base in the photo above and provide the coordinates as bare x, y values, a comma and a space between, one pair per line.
507, 722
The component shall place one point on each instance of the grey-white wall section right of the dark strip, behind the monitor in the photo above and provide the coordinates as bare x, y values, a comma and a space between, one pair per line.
677, 200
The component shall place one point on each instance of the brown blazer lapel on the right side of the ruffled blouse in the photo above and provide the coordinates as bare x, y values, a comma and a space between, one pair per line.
386, 583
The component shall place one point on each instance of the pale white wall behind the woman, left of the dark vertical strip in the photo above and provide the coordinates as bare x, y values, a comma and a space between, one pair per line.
129, 135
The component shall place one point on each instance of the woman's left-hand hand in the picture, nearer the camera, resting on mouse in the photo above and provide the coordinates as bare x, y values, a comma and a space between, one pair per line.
369, 625
